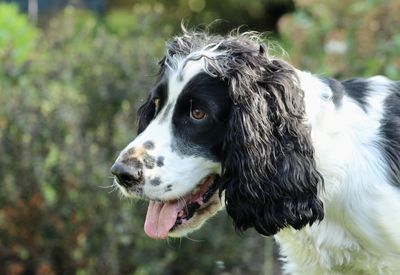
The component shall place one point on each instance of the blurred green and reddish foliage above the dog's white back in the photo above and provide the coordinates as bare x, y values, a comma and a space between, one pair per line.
344, 39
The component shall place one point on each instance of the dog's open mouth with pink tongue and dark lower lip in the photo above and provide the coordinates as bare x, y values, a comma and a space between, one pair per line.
165, 217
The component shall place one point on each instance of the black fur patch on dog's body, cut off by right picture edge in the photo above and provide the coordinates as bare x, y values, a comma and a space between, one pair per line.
390, 129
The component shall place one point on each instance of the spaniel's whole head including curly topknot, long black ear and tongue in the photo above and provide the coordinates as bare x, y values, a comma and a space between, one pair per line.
223, 116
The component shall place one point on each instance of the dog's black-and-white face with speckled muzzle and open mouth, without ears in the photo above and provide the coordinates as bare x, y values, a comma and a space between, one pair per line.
176, 159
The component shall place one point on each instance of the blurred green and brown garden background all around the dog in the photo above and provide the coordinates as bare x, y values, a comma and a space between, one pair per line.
72, 75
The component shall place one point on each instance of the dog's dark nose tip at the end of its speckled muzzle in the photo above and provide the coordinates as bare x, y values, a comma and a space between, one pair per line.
127, 176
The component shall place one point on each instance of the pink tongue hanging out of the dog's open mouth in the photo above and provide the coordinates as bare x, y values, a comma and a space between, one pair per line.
161, 218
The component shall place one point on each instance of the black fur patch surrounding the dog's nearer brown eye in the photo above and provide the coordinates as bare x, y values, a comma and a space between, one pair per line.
201, 137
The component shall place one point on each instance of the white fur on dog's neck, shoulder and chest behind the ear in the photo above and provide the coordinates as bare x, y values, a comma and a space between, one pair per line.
360, 233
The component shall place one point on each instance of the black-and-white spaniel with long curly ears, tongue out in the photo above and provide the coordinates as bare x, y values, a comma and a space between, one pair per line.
310, 160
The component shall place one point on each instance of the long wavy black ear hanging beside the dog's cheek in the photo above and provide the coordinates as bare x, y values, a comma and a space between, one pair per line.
268, 169
